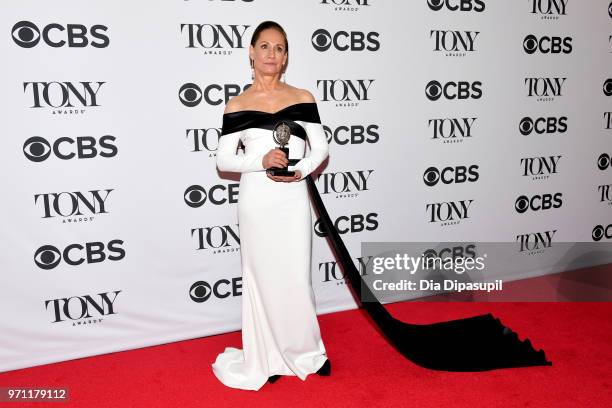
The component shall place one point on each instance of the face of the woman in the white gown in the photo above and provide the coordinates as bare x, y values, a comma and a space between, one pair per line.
269, 53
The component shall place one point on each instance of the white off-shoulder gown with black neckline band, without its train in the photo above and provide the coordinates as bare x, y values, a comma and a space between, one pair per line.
280, 330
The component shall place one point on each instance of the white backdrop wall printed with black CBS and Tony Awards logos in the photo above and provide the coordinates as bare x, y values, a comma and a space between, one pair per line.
448, 120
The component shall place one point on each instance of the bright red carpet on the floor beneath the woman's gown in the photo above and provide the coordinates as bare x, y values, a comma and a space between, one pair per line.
366, 371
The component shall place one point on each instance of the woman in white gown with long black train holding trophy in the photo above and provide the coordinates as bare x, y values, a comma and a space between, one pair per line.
280, 333
